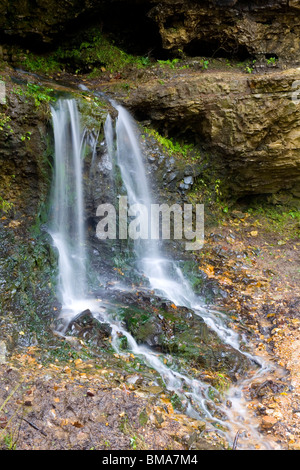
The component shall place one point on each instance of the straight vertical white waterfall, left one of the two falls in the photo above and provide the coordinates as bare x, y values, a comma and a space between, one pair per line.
67, 225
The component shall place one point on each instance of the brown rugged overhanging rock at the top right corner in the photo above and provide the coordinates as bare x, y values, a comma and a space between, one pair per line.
230, 27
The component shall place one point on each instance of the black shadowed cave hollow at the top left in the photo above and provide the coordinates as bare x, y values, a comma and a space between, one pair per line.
129, 27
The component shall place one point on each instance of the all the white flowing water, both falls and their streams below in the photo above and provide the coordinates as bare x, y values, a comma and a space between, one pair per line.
67, 228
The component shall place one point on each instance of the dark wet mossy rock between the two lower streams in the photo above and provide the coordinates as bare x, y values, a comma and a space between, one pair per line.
183, 334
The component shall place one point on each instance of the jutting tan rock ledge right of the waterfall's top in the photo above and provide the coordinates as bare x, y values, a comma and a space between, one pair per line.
250, 123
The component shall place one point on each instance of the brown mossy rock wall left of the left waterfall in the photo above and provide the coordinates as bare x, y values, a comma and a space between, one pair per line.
25, 169
